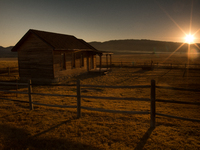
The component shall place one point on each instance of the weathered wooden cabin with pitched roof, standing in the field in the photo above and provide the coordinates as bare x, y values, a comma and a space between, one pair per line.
49, 57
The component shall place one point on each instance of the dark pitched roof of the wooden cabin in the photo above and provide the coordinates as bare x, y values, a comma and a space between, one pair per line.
57, 41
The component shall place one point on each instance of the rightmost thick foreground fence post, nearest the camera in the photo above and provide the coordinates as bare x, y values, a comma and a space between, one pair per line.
153, 110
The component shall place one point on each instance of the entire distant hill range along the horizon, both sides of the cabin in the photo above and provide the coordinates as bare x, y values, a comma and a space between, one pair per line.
124, 47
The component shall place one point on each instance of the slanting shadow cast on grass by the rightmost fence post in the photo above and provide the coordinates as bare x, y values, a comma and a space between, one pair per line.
144, 139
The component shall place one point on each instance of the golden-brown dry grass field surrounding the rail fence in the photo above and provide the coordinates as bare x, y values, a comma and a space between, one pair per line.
57, 128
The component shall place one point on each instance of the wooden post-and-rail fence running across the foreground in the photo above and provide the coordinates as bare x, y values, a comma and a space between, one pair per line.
79, 107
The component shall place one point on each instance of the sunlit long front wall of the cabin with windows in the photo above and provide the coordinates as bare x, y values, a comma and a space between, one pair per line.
68, 64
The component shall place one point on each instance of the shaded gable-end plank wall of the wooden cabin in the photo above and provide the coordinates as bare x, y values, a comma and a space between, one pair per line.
35, 59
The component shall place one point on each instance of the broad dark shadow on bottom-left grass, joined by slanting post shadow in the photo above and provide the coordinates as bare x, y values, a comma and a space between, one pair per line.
19, 138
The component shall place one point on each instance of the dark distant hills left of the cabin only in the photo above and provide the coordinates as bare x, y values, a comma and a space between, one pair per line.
5, 52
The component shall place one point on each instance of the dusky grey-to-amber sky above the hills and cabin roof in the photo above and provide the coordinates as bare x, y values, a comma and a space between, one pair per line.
101, 20
